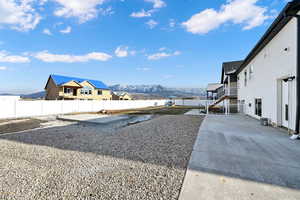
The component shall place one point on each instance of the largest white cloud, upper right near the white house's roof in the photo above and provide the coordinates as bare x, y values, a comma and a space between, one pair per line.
244, 12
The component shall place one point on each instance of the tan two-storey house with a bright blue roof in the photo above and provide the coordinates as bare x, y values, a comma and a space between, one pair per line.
71, 88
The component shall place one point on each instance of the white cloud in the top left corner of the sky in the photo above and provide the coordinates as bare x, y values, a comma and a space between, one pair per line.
18, 15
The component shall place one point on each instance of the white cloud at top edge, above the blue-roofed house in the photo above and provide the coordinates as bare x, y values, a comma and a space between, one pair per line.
84, 10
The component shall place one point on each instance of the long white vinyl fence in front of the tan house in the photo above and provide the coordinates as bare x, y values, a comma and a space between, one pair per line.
17, 109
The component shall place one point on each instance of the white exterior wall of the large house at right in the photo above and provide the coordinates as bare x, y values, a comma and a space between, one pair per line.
270, 66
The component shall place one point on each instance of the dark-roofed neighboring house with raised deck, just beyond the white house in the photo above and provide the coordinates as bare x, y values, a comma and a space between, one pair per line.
226, 95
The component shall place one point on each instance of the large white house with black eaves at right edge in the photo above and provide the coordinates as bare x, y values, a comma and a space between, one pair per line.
269, 77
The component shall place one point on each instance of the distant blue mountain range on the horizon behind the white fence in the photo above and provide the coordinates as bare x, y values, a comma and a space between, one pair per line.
140, 92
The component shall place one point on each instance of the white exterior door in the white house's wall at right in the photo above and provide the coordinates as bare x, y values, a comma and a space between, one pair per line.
285, 104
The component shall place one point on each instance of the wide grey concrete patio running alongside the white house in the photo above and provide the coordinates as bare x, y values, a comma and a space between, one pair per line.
235, 158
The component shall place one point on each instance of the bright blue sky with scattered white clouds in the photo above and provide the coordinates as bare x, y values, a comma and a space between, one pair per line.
175, 43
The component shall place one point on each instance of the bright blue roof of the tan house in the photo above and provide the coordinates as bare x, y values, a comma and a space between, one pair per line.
60, 80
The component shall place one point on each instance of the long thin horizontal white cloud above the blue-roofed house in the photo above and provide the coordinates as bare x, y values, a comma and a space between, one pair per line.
48, 57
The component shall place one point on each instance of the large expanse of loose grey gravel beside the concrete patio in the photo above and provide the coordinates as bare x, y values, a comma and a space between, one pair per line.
143, 161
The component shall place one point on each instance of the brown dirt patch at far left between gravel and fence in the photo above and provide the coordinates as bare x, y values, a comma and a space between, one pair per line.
22, 125
